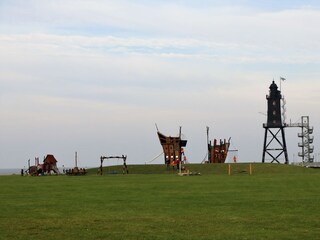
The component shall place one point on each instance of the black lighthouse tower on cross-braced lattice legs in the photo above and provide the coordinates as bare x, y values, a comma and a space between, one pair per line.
274, 145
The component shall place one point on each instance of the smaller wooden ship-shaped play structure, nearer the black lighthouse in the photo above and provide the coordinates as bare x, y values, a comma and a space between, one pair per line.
218, 151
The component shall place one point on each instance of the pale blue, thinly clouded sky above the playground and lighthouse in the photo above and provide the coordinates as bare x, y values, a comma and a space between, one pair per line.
94, 77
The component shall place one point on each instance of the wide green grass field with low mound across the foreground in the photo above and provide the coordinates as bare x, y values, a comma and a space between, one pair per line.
276, 202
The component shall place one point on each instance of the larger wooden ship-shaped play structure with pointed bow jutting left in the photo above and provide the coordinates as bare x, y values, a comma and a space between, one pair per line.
172, 148
